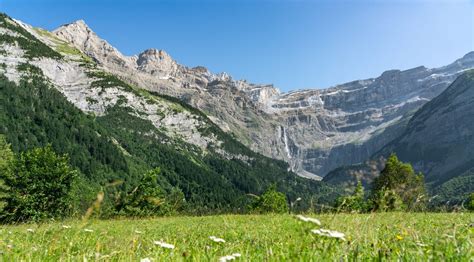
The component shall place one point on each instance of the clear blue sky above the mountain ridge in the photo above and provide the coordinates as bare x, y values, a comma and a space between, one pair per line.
292, 44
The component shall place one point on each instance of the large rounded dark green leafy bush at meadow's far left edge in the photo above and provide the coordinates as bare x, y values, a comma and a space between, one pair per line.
39, 186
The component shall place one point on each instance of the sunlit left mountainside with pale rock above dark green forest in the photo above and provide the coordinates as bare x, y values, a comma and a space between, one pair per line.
50, 92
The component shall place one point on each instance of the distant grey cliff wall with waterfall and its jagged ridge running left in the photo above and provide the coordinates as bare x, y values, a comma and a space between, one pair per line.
315, 131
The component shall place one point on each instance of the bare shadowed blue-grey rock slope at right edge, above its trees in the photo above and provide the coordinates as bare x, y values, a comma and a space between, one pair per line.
439, 139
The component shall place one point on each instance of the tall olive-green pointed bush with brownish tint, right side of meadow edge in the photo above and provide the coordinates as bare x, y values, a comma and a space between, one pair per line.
398, 187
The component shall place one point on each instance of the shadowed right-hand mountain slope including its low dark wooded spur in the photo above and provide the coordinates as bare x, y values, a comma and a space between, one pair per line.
438, 141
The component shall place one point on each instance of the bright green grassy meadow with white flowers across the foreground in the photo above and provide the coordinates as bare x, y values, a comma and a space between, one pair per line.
385, 236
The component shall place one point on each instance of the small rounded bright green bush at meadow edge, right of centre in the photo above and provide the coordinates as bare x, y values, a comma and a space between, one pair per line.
271, 201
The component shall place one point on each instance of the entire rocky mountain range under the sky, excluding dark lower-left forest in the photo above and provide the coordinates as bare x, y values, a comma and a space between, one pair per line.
422, 114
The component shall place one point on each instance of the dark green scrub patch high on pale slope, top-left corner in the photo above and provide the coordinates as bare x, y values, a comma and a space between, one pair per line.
30, 45
